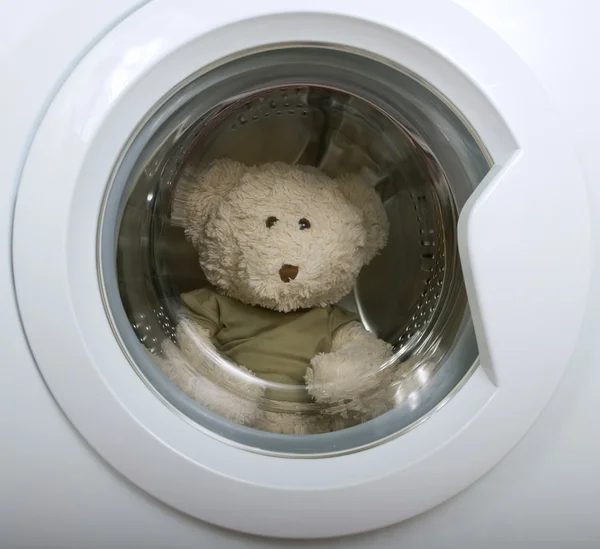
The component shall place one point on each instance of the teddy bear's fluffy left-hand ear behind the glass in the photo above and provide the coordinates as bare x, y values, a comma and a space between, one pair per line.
199, 192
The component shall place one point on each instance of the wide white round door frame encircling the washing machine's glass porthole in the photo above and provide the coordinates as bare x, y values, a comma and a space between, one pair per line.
523, 237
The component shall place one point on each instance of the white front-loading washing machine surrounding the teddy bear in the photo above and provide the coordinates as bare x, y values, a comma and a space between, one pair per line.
476, 123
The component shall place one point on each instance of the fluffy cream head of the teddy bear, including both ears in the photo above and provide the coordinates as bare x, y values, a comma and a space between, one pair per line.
279, 236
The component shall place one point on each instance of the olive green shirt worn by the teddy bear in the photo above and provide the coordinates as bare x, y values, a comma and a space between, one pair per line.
276, 346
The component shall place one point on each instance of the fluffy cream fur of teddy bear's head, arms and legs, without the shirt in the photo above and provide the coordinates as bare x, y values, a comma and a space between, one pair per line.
245, 223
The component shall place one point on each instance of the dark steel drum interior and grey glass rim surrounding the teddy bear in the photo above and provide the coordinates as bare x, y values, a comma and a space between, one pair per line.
341, 111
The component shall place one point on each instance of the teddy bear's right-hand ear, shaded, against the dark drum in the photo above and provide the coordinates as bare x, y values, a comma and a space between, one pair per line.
363, 195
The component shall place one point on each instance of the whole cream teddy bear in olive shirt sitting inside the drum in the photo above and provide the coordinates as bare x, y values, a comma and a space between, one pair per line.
266, 345
